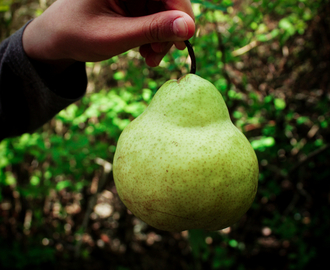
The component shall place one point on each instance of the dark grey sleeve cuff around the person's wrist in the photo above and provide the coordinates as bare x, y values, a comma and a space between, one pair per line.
30, 94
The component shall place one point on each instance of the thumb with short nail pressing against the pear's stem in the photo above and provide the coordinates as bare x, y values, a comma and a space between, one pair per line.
164, 27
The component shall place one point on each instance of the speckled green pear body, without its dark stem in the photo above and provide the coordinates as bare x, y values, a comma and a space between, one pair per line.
182, 164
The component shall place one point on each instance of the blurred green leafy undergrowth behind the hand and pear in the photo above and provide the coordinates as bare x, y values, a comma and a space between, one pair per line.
271, 62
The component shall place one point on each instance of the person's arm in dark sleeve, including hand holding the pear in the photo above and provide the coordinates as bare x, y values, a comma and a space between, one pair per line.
42, 70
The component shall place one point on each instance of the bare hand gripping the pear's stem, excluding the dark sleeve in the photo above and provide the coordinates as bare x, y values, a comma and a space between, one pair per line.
95, 30
